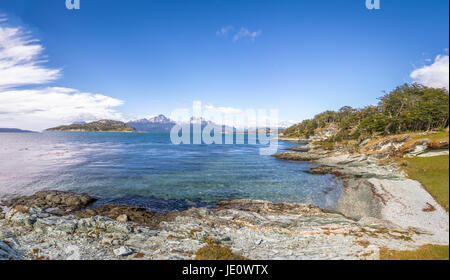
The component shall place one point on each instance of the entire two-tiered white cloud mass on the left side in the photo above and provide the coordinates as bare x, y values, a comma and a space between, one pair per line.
21, 64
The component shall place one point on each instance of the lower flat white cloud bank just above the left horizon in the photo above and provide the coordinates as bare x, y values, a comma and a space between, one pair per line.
39, 109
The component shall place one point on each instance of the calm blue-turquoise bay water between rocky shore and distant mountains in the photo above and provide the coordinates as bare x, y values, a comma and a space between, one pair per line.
147, 170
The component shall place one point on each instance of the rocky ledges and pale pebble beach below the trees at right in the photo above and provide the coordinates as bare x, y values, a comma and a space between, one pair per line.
376, 189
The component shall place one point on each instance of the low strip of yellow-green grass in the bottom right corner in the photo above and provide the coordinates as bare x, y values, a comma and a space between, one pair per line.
426, 252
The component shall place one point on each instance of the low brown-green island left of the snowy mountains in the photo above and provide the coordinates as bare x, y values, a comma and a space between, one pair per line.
98, 126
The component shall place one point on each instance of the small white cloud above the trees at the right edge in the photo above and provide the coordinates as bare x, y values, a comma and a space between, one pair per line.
434, 75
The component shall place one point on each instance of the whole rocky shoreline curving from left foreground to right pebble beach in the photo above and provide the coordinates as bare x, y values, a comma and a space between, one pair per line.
379, 208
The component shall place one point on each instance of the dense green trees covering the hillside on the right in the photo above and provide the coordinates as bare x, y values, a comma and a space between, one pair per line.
408, 108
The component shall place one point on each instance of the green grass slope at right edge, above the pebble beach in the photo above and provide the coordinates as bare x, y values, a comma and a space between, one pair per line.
432, 173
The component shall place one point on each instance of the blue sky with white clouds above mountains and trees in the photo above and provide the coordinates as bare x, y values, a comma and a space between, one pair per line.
132, 59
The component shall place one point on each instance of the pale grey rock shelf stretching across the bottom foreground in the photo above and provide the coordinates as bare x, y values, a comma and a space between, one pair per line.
254, 229
